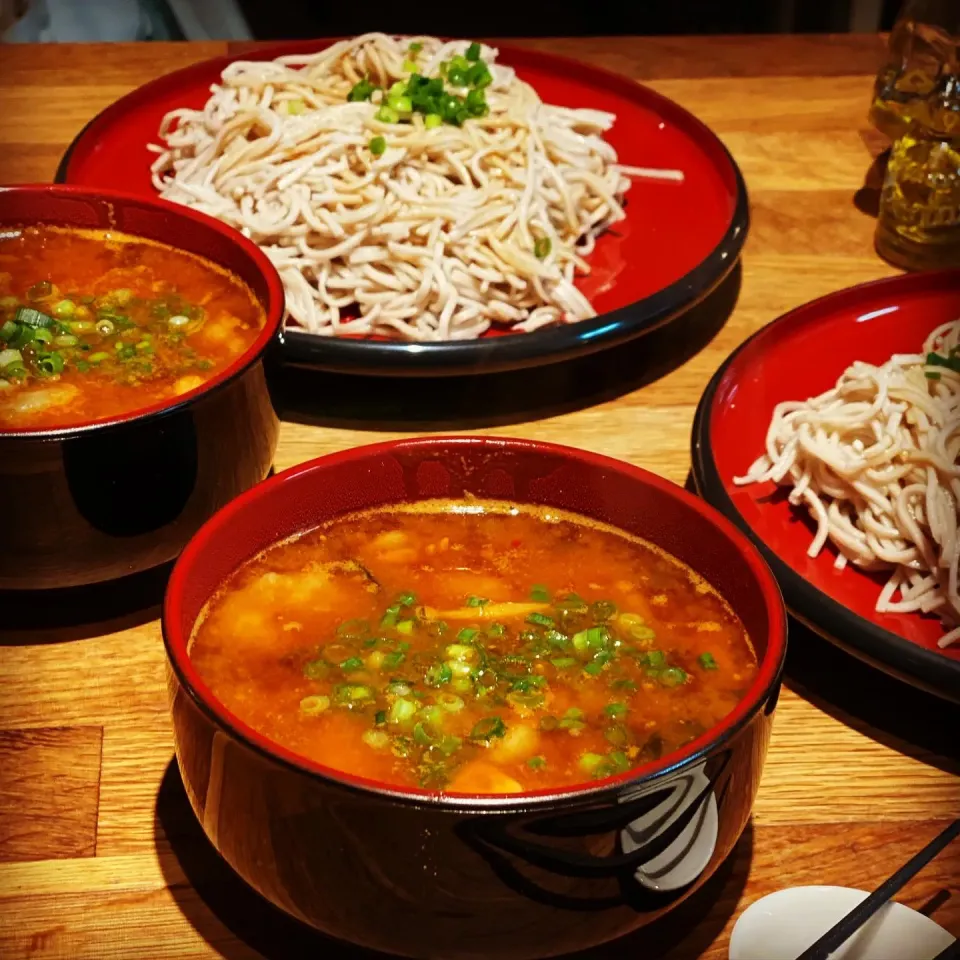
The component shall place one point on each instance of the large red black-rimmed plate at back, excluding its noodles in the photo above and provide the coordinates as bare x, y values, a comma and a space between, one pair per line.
678, 242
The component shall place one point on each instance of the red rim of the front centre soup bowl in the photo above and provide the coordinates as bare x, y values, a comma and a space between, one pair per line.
757, 696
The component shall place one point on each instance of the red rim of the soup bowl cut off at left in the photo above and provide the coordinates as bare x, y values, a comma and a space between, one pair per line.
273, 308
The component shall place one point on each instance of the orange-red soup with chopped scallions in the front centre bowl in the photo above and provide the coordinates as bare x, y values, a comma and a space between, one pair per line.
472, 647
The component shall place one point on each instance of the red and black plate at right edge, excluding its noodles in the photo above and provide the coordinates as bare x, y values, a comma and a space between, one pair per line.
799, 356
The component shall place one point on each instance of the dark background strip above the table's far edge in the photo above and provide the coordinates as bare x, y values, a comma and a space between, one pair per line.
285, 19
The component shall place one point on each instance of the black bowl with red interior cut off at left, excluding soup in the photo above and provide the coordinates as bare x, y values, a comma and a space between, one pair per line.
120, 496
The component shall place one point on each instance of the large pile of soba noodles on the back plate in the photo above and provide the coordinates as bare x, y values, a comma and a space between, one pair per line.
434, 232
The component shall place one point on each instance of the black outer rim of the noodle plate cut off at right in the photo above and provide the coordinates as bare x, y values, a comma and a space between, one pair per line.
817, 610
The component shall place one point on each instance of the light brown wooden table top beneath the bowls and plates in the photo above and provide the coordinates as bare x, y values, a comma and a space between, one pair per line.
100, 856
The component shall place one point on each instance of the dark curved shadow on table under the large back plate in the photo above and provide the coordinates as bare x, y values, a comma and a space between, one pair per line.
499, 399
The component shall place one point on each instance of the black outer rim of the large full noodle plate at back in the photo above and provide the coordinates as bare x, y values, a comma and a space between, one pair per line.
518, 351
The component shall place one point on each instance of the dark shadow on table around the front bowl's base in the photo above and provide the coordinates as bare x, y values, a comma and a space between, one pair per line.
215, 898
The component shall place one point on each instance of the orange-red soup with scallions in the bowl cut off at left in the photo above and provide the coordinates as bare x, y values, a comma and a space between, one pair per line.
99, 324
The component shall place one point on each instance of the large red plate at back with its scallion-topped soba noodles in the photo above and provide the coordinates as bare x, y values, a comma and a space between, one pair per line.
430, 205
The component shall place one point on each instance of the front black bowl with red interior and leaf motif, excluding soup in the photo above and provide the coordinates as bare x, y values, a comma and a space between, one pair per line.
422, 874
